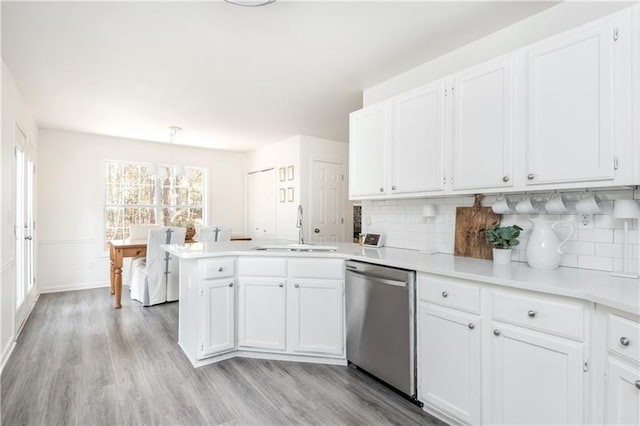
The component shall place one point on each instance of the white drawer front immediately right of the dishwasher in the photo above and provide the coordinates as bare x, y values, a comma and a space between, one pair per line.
450, 292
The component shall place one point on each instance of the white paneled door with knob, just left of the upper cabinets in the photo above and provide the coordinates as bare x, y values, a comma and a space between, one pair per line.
327, 221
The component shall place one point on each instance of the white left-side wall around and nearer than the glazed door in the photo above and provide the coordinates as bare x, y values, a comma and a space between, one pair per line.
15, 112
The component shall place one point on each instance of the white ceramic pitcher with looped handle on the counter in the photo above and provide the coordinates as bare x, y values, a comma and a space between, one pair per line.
544, 249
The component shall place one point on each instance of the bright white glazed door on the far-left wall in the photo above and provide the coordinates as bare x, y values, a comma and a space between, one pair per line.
24, 227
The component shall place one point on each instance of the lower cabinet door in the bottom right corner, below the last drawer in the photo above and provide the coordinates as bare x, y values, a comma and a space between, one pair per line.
623, 393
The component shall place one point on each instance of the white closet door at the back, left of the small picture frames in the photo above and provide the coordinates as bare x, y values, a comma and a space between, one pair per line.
261, 204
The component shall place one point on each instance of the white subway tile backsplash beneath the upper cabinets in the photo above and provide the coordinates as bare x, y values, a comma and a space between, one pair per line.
599, 248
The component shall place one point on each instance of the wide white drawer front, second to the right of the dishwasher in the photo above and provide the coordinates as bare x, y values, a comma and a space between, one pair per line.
558, 317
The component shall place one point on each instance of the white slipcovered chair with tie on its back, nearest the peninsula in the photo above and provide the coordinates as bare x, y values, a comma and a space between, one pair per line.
155, 277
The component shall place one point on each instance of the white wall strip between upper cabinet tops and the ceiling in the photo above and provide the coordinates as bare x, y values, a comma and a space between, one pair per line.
537, 27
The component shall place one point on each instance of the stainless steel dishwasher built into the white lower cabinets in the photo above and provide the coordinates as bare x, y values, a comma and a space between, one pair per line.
381, 323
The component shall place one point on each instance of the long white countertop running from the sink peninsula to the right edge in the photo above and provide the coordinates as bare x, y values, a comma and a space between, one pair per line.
594, 286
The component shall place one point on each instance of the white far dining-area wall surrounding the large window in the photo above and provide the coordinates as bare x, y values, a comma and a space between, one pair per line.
71, 201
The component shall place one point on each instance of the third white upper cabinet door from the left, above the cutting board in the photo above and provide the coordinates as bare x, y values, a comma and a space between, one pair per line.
483, 117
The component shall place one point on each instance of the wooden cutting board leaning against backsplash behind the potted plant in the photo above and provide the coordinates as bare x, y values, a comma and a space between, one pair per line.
470, 221
